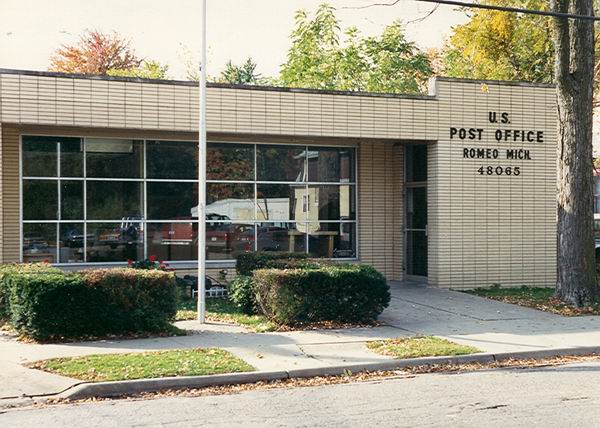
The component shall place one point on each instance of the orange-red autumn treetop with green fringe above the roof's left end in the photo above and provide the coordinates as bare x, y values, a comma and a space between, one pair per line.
104, 54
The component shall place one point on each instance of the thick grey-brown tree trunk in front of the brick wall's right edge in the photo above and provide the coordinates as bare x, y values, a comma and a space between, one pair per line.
574, 45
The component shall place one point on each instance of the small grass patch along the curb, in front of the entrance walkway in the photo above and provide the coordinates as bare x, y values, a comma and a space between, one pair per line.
415, 347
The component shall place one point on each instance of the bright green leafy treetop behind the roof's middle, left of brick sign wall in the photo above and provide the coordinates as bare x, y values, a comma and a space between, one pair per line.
317, 59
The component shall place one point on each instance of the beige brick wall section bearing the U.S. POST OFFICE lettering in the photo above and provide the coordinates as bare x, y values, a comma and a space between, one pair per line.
493, 229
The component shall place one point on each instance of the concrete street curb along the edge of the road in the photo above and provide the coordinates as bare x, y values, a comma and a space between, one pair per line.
129, 387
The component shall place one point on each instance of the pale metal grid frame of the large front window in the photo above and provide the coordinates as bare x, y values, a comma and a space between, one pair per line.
144, 180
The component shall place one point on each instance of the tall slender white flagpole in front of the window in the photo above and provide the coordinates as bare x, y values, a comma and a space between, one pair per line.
202, 177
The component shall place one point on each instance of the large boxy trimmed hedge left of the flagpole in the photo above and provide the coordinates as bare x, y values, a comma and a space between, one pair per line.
46, 303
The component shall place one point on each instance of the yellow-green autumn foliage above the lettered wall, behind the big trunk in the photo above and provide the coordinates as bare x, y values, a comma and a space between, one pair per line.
506, 46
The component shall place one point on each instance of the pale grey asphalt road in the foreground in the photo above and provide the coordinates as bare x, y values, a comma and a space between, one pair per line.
564, 396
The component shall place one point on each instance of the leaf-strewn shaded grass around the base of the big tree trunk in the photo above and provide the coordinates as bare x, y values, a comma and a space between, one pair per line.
541, 298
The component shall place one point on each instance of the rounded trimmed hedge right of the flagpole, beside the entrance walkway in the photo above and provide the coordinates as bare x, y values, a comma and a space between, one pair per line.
342, 293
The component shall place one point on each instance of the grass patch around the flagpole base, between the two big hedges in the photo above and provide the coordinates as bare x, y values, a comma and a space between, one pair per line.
222, 310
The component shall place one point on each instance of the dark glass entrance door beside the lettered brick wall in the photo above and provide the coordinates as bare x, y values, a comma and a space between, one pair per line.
416, 209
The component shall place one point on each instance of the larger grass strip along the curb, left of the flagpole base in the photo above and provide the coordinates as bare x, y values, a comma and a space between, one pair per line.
178, 362
